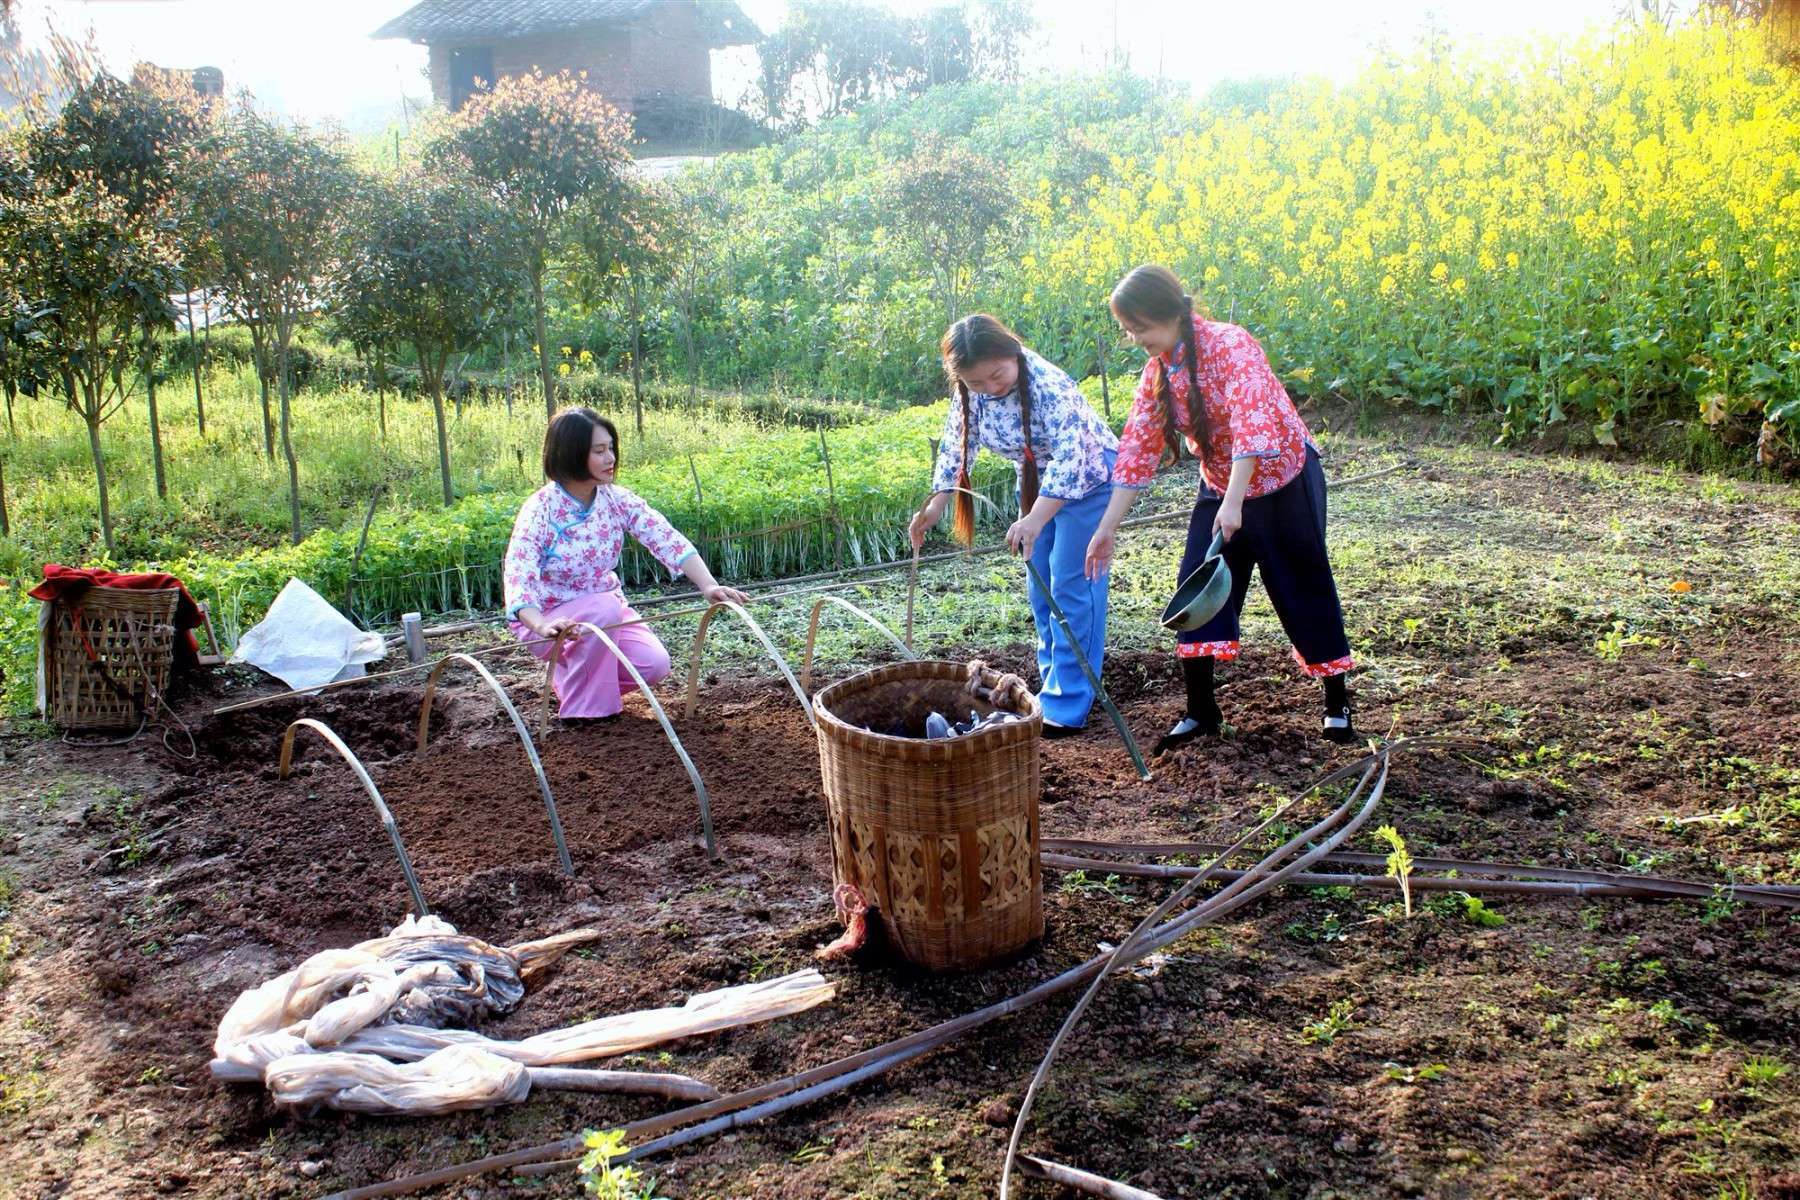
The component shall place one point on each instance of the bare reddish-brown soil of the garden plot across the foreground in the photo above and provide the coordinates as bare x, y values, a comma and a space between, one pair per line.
143, 920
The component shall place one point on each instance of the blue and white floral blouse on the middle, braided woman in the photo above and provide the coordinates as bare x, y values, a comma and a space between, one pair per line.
1068, 438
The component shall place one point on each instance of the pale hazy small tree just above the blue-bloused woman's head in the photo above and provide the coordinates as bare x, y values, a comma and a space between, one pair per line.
955, 210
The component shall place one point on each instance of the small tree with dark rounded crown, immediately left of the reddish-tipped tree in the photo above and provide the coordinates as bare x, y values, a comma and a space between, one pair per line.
433, 265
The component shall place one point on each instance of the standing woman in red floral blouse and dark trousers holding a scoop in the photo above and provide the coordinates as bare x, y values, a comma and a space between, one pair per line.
1263, 490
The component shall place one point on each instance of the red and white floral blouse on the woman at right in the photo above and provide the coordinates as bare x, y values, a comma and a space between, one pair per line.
1248, 415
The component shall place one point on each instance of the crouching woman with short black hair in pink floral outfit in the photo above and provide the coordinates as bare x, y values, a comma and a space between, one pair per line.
561, 566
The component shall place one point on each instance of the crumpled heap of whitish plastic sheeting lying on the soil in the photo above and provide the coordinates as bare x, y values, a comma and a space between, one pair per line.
375, 1028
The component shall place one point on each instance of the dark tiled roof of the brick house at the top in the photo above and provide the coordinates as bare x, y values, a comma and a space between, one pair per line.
492, 21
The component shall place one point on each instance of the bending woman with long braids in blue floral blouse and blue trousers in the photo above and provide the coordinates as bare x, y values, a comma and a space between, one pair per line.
1065, 485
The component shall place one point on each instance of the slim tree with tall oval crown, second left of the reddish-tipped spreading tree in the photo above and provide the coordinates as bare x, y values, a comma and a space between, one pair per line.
274, 201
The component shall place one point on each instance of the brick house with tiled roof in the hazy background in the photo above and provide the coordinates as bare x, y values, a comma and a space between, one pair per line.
634, 53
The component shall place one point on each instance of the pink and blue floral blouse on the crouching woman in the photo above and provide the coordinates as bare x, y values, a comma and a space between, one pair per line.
562, 550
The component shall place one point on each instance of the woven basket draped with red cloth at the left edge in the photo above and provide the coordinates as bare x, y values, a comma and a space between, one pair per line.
109, 656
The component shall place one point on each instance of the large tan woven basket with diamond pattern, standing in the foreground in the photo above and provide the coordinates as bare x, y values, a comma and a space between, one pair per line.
939, 836
